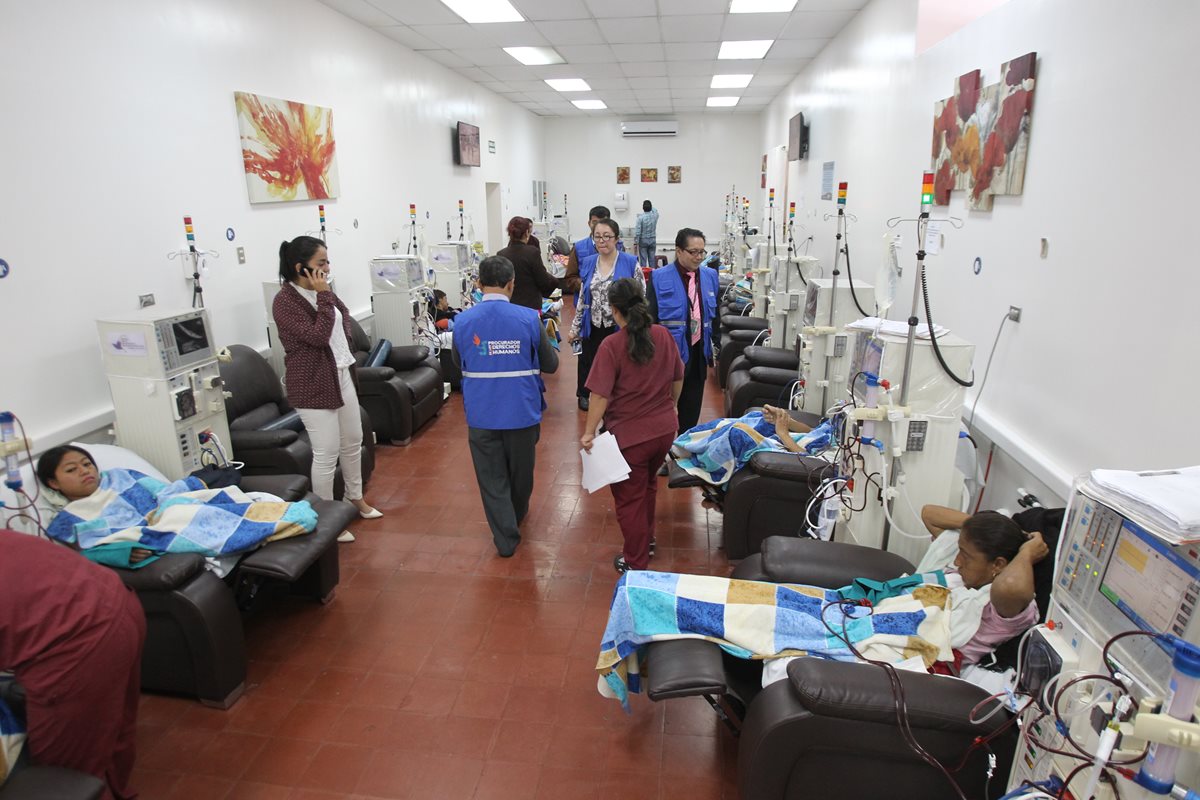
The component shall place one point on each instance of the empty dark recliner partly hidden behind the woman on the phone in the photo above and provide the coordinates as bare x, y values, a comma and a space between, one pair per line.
266, 431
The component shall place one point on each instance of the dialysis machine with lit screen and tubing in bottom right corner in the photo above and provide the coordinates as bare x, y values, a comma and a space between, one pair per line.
1115, 572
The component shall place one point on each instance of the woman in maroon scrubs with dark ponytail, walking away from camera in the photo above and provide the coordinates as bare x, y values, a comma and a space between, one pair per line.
635, 381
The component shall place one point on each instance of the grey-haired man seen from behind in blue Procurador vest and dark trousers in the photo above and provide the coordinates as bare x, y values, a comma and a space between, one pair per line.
502, 350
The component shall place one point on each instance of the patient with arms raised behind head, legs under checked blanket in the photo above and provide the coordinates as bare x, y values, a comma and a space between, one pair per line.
955, 615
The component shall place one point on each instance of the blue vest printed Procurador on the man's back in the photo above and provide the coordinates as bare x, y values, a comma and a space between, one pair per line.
502, 386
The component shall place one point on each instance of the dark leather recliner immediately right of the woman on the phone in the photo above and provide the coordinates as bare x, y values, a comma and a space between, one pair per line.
403, 394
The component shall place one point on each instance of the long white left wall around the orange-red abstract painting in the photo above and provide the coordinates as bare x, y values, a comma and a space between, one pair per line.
119, 121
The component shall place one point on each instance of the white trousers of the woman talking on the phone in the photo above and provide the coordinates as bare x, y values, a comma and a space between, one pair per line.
337, 434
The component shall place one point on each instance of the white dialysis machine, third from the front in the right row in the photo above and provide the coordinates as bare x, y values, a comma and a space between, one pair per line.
827, 348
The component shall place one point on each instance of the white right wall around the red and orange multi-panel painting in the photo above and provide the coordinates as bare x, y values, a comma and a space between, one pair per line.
1103, 354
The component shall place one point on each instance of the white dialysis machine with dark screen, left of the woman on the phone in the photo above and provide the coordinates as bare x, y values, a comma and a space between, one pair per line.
167, 392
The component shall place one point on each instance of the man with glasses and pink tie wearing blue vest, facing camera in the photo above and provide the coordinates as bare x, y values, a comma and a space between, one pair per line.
683, 299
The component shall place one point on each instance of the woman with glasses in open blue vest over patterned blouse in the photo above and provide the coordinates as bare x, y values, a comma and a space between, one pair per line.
593, 321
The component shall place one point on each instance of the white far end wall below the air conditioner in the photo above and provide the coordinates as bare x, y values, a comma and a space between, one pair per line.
717, 152
